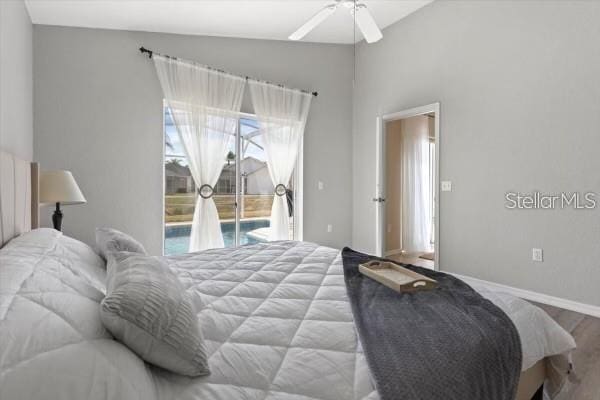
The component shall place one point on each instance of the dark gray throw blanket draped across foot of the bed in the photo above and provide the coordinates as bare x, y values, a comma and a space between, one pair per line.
448, 343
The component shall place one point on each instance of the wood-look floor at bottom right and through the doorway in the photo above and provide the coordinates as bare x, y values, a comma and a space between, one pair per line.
585, 330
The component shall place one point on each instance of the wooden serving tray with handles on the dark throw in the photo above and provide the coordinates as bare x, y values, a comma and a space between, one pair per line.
396, 277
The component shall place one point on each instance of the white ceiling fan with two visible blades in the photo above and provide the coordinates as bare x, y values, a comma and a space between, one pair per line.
362, 17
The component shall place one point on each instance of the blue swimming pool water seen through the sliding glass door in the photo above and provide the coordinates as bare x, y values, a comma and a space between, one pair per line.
177, 237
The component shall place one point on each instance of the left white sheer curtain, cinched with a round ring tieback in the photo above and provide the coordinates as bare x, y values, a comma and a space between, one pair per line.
205, 106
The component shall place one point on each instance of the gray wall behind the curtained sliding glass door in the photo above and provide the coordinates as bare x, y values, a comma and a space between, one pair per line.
98, 113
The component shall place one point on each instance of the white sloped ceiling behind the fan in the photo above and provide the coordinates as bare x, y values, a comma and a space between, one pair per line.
255, 19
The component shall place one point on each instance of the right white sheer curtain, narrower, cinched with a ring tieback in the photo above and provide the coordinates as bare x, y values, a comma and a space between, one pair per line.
282, 114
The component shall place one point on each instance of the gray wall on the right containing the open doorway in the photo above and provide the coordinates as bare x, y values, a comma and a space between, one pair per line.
519, 86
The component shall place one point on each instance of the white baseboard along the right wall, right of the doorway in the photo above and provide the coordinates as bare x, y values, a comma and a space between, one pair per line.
582, 308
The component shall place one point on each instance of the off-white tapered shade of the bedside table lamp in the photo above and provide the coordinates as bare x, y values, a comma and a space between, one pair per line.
59, 187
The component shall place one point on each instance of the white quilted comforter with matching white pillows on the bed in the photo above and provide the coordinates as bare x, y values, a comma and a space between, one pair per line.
275, 317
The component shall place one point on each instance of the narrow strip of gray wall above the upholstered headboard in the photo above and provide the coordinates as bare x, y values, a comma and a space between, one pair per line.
16, 84
